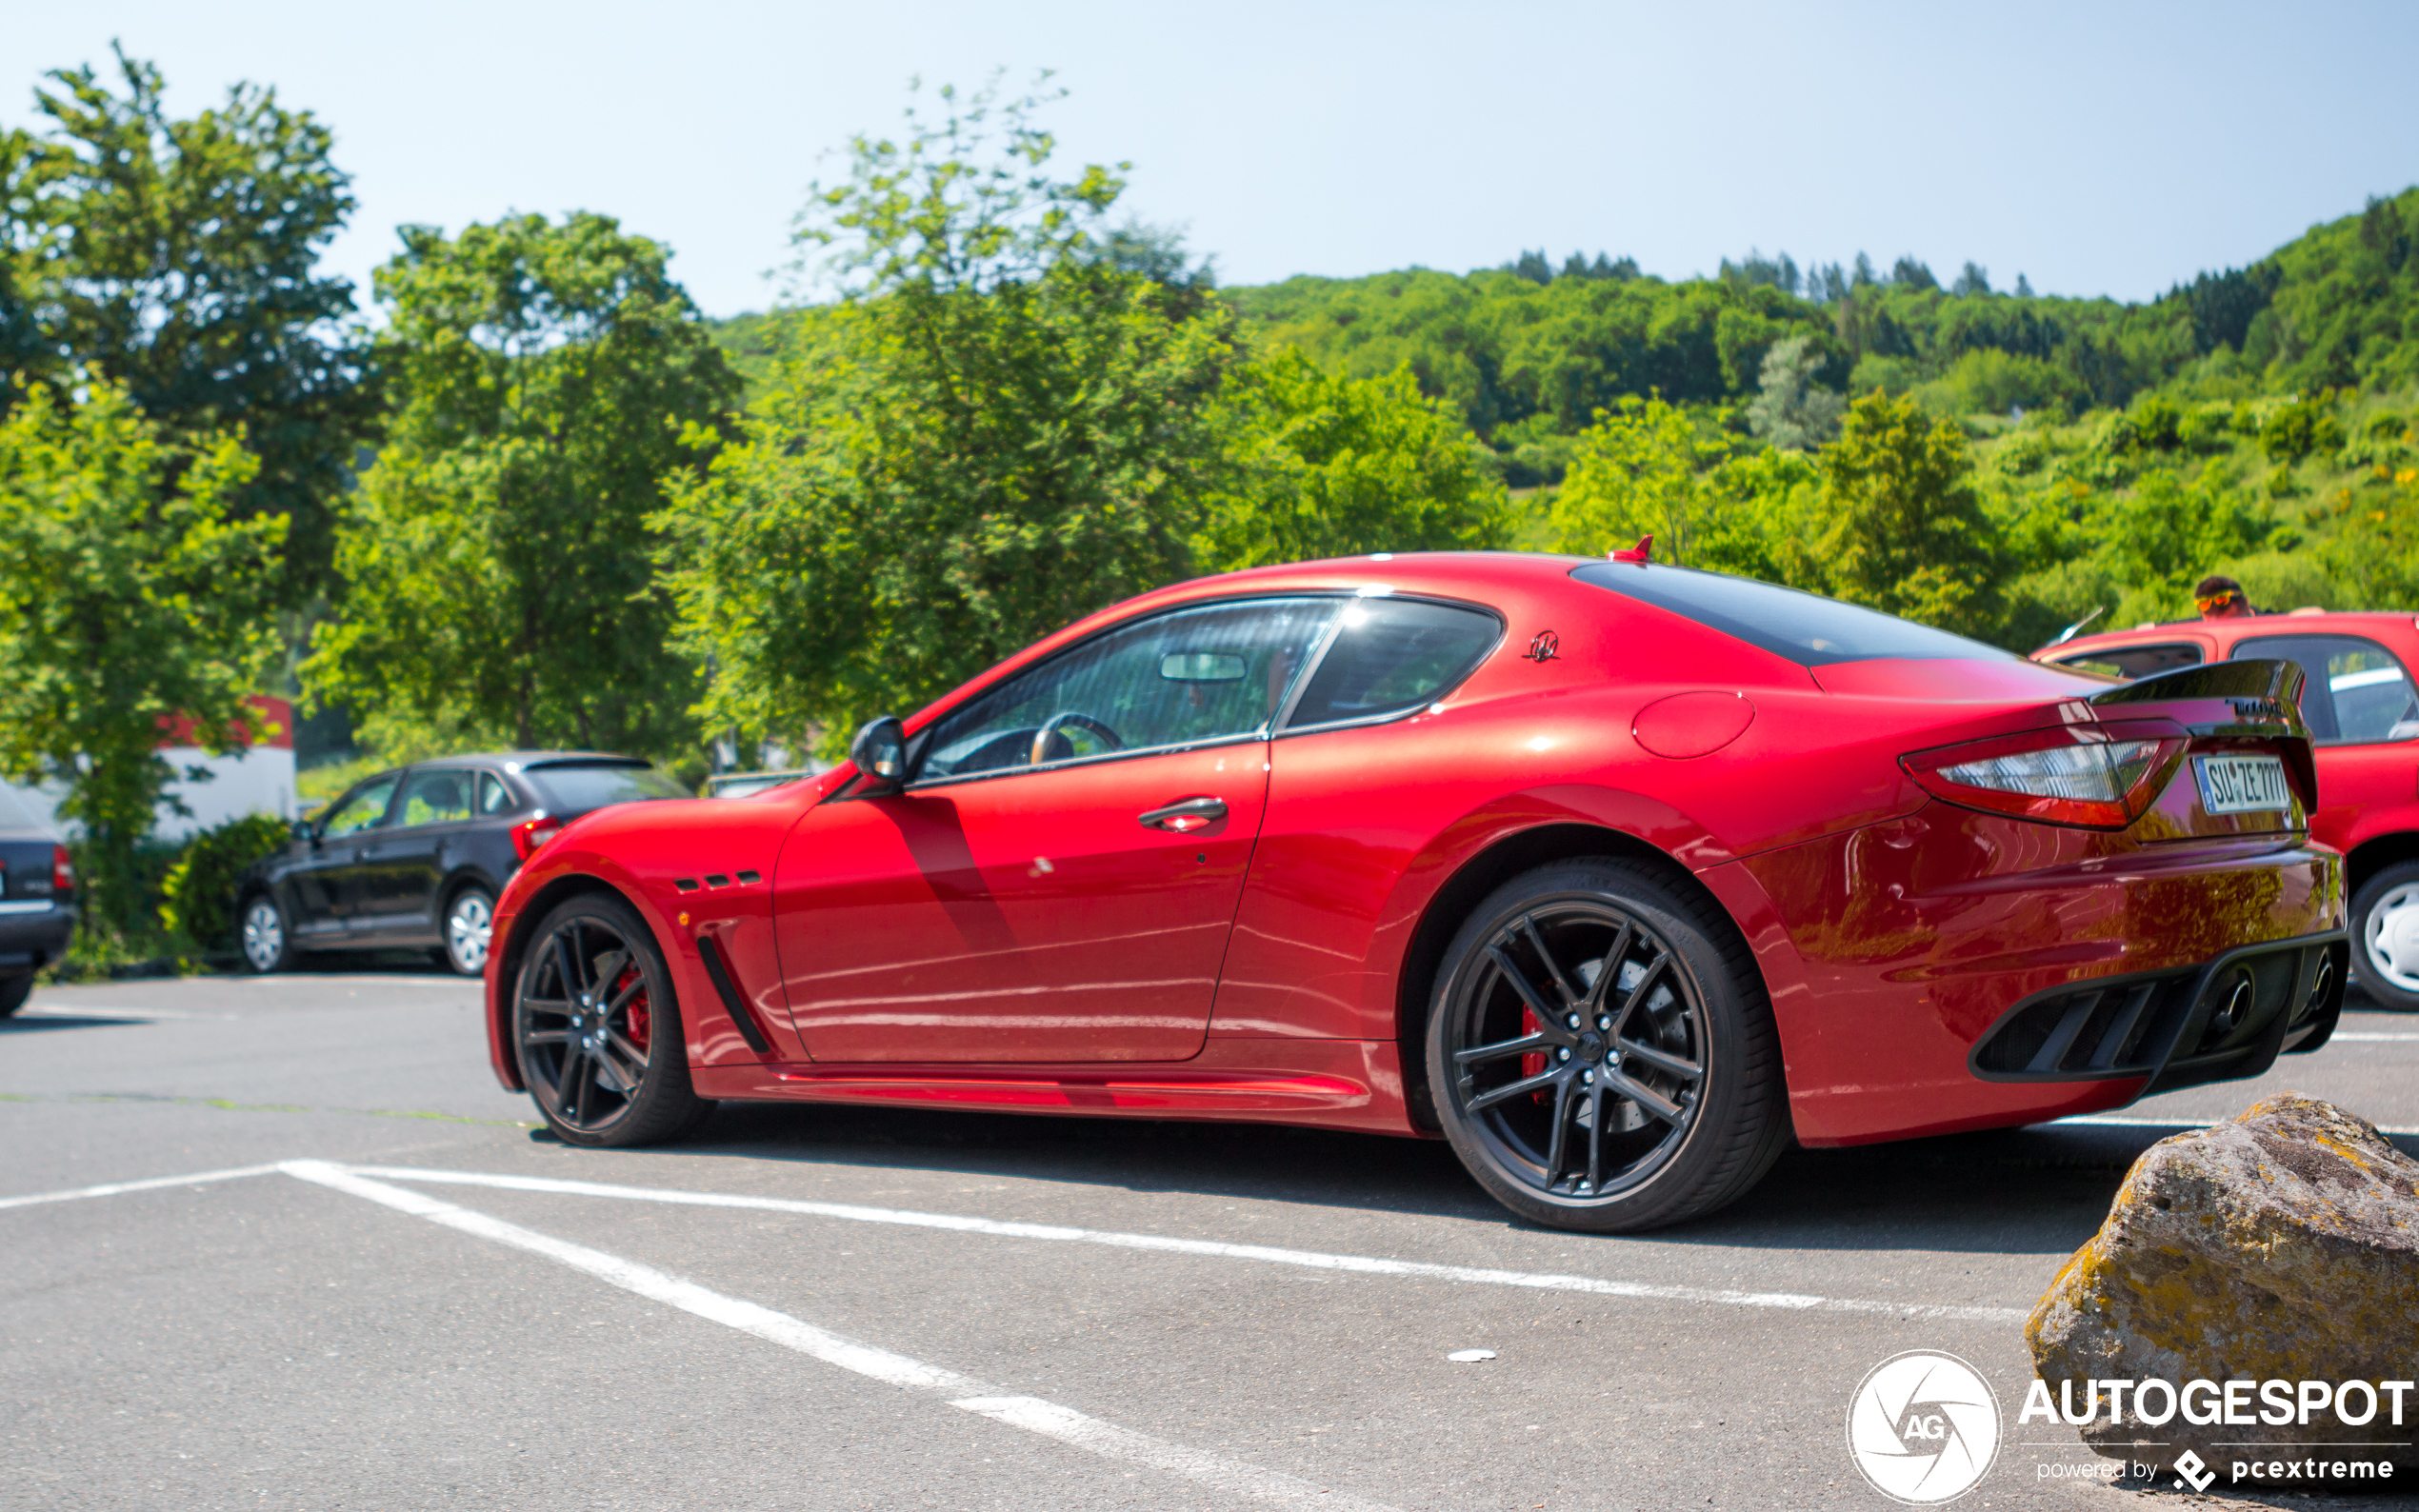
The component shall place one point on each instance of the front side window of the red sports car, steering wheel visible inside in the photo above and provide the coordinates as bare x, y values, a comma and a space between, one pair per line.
1167, 681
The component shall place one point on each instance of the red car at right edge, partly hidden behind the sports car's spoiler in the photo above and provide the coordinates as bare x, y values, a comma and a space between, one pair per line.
2365, 720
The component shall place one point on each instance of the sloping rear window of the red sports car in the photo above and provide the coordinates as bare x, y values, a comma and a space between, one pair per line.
1803, 628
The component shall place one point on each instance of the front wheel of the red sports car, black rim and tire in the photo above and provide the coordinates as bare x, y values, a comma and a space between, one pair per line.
596, 1029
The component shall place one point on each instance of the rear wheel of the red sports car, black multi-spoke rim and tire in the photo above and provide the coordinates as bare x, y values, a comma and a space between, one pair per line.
1670, 1083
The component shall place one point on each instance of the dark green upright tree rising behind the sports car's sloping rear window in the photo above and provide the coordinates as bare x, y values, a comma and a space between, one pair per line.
1905, 529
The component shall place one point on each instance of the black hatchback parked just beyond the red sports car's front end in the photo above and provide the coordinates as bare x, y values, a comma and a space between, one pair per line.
417, 855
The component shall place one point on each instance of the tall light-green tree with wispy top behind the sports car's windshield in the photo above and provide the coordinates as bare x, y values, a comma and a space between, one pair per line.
1008, 422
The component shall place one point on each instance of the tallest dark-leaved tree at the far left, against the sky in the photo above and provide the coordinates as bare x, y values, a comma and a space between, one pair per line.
178, 258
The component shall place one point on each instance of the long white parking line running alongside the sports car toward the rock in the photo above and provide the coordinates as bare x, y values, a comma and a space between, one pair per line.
1203, 1247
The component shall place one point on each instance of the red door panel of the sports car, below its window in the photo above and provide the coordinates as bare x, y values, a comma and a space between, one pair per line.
1024, 918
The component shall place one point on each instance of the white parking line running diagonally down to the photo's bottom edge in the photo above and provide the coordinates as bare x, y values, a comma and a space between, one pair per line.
1032, 1414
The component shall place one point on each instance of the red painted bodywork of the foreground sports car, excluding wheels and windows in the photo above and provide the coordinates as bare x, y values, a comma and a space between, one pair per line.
1022, 945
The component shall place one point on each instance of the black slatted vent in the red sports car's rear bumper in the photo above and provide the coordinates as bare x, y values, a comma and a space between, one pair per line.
2181, 1029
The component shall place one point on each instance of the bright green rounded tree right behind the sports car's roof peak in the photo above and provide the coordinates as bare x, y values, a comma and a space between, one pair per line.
1344, 466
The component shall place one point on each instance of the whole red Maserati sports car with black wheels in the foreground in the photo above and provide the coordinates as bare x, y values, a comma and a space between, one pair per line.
1615, 875
